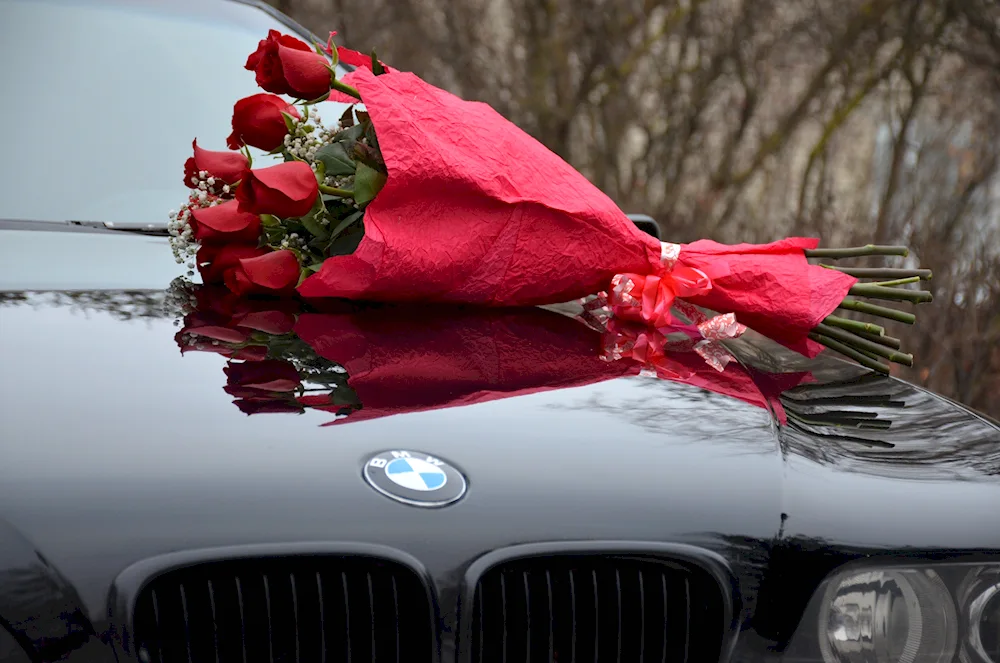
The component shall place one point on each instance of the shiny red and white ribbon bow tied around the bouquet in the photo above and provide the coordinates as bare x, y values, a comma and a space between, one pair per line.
648, 300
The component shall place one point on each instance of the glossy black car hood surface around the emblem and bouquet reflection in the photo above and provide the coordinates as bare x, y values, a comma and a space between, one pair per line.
117, 448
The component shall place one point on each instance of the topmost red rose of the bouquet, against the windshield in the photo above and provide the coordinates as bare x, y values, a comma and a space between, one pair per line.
286, 65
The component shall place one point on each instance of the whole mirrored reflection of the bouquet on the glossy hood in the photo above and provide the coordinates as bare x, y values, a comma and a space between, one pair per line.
370, 362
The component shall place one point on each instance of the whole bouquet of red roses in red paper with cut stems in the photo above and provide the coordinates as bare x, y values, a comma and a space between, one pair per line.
423, 197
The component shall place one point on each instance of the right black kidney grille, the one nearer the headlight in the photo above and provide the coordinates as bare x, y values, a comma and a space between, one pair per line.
581, 608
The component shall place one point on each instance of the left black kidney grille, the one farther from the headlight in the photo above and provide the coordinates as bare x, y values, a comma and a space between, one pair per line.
285, 609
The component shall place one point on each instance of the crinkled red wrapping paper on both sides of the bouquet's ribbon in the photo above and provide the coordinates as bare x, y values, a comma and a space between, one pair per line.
476, 211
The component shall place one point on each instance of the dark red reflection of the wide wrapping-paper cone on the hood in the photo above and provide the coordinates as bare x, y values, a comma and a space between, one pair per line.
406, 362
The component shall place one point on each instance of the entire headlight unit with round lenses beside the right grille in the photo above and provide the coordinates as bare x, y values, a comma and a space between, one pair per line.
919, 613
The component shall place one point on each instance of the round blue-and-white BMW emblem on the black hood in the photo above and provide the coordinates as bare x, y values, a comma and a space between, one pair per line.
415, 478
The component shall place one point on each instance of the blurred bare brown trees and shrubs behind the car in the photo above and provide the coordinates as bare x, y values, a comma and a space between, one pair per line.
748, 120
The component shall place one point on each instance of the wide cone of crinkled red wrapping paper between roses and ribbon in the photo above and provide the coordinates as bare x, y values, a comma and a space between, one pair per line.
475, 211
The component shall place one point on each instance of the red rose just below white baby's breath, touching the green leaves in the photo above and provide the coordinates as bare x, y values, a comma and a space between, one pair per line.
286, 190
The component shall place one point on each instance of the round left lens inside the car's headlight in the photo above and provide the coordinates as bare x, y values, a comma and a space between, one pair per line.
888, 616
